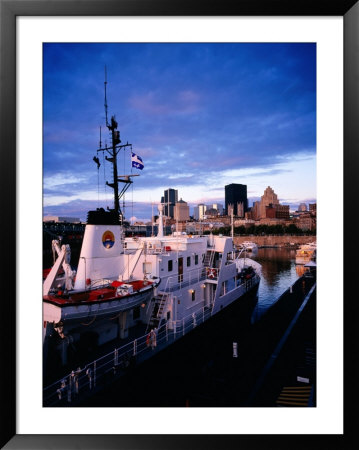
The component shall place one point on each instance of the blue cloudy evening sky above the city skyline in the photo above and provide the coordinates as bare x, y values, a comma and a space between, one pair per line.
200, 116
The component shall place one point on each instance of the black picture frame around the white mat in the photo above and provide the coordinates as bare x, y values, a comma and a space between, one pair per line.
9, 10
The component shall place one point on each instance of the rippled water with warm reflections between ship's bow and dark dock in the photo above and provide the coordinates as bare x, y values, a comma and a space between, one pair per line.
279, 271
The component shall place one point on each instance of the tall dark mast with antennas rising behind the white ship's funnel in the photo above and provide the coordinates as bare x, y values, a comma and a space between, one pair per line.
113, 151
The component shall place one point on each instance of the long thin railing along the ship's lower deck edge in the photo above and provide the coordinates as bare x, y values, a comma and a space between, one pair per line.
81, 383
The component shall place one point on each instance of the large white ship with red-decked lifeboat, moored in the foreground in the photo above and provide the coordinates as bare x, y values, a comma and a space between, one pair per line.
132, 296
